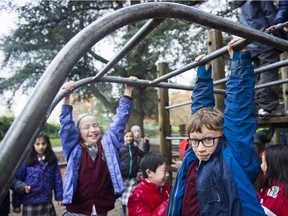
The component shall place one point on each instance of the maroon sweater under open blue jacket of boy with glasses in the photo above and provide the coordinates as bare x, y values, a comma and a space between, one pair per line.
190, 205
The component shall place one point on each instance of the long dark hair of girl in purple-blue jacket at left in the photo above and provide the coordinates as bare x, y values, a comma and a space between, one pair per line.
50, 156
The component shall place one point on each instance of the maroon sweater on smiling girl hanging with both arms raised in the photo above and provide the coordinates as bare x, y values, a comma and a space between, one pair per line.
94, 186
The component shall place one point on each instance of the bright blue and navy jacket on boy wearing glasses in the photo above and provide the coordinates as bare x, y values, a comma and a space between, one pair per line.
223, 182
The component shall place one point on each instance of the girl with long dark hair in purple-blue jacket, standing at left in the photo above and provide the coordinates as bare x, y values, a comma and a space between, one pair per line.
42, 173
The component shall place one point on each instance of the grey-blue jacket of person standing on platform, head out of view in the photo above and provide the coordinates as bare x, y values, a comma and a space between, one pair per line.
259, 15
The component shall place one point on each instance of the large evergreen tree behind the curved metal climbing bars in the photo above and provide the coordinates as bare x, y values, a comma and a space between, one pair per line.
46, 26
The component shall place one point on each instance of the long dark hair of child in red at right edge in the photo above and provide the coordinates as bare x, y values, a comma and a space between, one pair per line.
276, 157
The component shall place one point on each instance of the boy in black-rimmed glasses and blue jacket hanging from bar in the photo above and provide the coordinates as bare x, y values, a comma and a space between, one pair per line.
216, 174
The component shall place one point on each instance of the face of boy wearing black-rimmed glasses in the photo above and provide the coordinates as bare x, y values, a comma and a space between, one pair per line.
204, 153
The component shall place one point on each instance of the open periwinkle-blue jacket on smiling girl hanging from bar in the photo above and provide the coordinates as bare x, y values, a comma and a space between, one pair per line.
112, 141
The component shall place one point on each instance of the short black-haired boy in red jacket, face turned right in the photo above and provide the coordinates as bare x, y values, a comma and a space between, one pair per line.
150, 197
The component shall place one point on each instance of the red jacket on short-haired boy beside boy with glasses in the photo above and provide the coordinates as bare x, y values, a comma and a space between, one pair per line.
147, 199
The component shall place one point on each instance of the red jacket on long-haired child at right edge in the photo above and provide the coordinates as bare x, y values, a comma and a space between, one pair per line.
274, 201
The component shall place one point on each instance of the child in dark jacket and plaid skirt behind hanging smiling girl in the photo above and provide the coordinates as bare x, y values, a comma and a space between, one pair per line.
129, 157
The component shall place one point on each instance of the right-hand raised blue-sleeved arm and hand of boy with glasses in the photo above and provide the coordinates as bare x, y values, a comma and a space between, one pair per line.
239, 123
